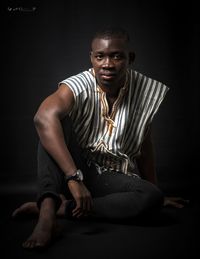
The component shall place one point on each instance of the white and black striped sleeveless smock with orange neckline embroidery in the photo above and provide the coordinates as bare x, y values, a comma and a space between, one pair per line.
112, 141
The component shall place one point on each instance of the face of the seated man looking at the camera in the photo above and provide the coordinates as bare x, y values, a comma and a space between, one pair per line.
110, 59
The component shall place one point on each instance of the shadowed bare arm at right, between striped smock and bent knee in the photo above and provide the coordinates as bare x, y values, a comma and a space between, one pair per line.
146, 161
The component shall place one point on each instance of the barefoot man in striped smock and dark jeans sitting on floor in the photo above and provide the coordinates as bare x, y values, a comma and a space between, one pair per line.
95, 142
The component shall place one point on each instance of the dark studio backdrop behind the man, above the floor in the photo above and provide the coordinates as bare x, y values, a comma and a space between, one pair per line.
46, 41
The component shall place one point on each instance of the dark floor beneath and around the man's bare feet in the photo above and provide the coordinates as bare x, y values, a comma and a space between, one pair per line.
174, 234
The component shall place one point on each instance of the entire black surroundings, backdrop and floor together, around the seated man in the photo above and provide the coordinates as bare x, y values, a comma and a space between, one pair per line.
43, 42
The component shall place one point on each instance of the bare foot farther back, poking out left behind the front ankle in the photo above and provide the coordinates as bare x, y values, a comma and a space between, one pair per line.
27, 209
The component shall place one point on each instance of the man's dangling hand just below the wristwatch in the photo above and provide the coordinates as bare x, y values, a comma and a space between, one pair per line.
82, 197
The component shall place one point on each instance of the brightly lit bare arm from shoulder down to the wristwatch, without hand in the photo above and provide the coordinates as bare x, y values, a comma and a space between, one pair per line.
48, 125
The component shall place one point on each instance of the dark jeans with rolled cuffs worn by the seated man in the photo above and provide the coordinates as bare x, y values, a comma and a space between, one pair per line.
115, 195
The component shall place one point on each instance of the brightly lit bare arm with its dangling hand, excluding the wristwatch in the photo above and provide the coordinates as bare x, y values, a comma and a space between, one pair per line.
48, 125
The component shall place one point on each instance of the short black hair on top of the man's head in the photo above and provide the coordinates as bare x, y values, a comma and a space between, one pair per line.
112, 32
